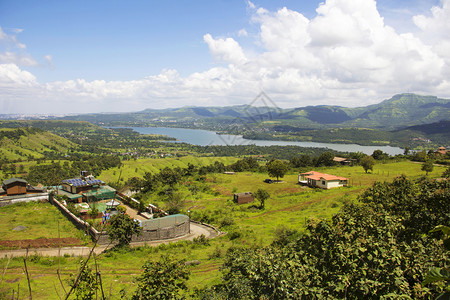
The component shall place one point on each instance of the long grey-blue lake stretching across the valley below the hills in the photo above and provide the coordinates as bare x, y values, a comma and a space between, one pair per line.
208, 138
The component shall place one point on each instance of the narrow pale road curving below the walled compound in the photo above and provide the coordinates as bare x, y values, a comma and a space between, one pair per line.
196, 230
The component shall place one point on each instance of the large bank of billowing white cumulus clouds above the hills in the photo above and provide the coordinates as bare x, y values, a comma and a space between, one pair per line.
346, 55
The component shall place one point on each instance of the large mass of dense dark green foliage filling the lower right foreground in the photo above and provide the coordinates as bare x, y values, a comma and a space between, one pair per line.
376, 249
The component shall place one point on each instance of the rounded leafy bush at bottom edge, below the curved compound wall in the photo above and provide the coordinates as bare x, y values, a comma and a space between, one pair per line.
163, 279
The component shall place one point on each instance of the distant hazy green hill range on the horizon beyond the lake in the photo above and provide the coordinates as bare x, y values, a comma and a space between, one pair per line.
399, 111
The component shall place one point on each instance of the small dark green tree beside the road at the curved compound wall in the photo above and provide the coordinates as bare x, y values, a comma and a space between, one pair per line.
121, 229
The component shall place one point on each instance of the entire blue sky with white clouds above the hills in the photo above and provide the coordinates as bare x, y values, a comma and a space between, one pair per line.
132, 55
